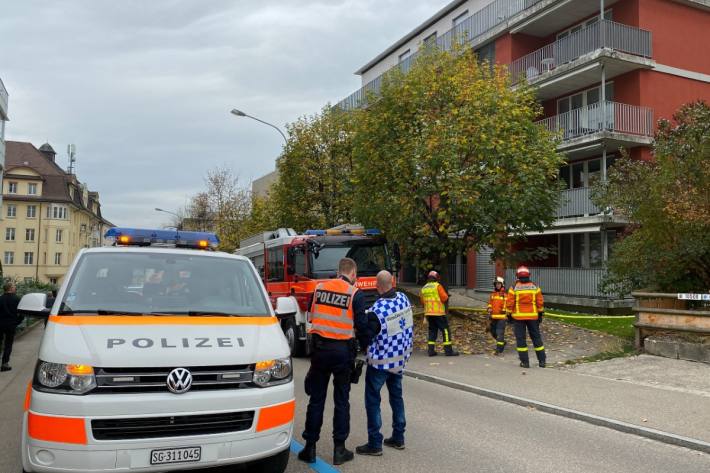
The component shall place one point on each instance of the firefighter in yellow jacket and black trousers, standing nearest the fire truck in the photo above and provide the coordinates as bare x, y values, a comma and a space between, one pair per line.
433, 297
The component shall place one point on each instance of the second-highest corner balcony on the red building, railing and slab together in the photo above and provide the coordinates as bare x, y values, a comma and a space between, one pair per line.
617, 124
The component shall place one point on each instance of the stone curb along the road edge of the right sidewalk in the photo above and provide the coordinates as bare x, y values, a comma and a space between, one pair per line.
653, 434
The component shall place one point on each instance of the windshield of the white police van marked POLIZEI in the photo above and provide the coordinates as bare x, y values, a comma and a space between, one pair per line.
154, 283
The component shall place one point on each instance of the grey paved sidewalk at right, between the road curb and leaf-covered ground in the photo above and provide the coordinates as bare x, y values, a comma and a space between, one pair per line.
654, 397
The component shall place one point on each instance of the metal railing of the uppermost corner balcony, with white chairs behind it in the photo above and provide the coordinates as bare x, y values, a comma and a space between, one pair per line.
604, 34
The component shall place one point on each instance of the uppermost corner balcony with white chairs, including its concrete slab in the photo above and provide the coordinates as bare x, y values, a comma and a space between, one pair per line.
578, 58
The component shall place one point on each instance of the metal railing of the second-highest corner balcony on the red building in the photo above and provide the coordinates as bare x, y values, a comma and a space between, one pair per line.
606, 116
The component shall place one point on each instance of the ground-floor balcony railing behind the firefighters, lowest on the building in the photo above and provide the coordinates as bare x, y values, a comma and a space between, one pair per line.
577, 282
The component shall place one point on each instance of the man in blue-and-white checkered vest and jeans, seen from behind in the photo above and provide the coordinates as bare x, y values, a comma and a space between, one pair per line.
386, 357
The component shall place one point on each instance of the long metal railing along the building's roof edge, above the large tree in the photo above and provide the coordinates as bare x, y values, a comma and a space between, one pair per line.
476, 25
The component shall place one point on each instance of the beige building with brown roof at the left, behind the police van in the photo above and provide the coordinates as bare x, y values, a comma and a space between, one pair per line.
47, 215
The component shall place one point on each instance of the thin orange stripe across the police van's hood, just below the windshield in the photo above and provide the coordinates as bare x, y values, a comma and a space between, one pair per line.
158, 320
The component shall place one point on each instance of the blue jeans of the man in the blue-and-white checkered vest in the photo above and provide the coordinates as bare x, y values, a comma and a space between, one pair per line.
374, 380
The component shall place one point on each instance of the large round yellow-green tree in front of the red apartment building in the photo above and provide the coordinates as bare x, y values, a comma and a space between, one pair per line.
448, 158
